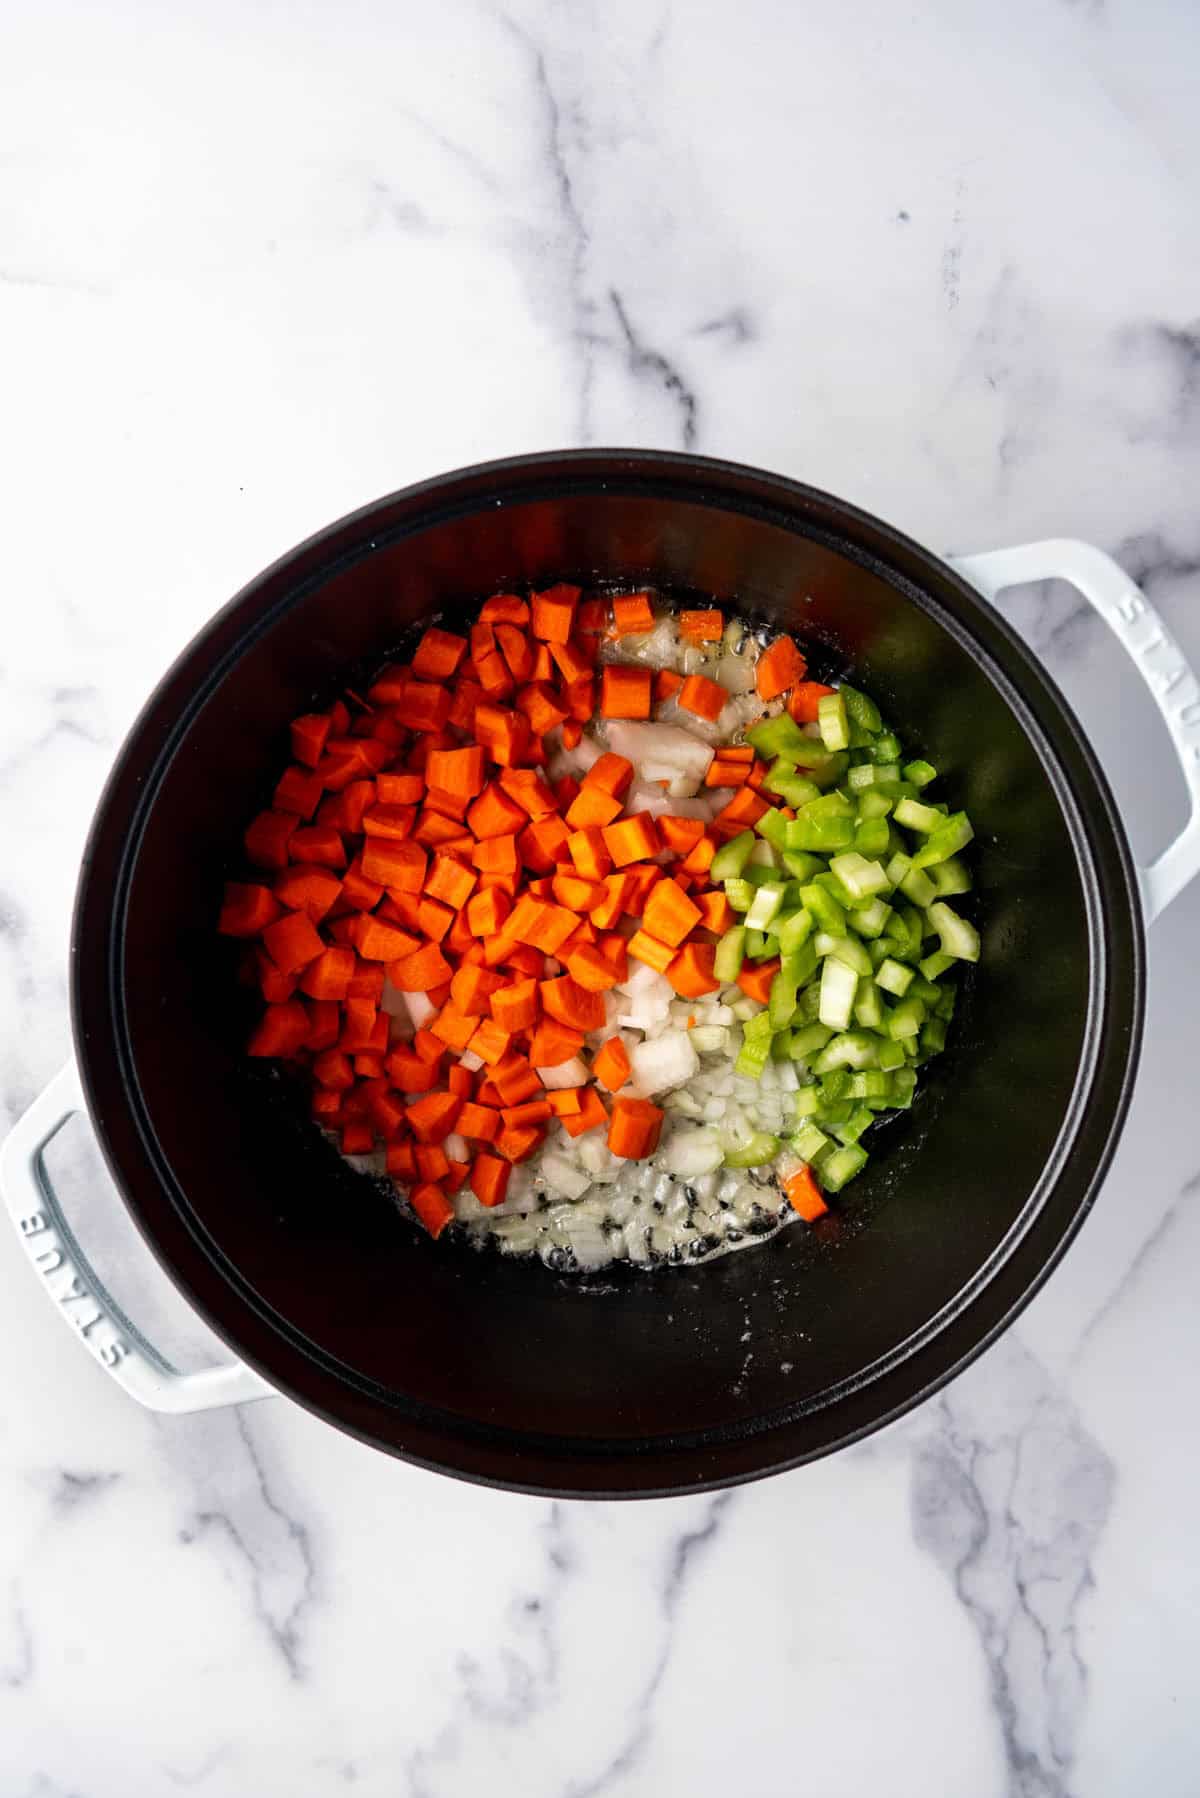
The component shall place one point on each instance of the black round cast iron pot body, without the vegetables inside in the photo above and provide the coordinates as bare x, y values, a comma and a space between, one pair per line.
629, 1384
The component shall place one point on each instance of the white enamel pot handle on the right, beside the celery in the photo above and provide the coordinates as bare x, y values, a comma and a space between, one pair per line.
1160, 661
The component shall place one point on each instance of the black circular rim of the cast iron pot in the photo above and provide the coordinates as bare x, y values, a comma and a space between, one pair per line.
1091, 1128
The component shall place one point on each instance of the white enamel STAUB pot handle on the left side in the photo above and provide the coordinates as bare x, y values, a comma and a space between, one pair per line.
73, 1285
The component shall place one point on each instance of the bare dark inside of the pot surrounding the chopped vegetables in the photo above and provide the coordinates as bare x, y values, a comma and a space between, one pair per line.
541, 1371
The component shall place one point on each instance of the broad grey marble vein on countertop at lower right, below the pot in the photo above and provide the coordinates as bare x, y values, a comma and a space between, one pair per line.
1012, 1495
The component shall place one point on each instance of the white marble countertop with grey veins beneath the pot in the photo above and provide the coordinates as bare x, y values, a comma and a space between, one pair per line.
260, 265
